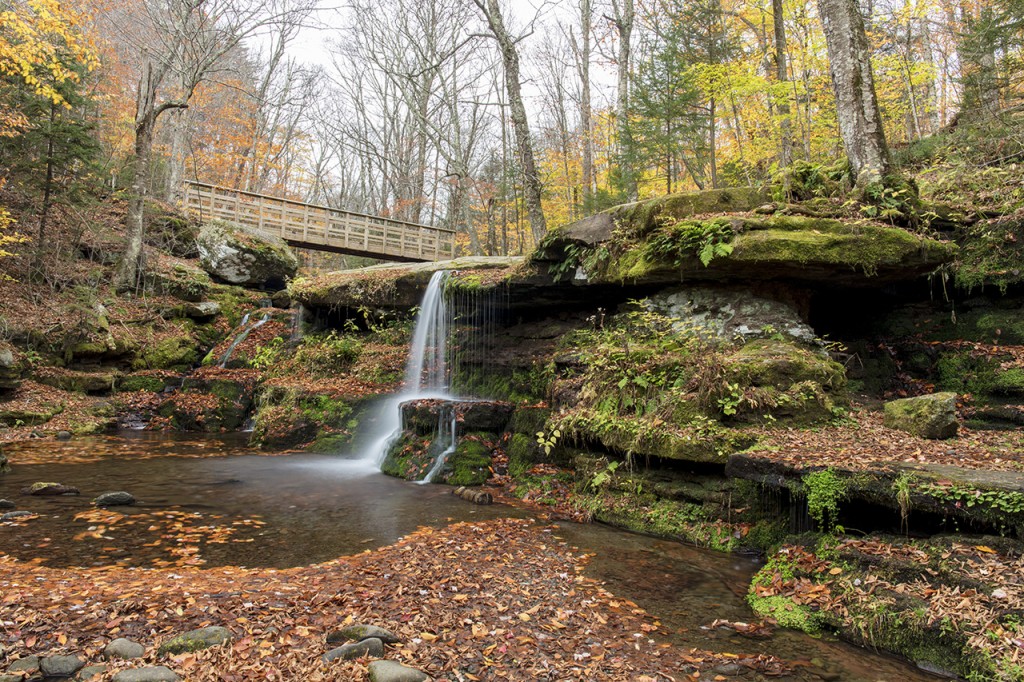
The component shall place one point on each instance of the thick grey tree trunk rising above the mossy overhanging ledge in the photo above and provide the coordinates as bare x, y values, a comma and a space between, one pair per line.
857, 106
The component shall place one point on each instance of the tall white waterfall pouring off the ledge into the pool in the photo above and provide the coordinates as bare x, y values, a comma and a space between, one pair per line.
426, 373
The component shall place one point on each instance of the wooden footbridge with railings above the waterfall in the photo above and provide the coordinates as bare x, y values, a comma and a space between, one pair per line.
322, 228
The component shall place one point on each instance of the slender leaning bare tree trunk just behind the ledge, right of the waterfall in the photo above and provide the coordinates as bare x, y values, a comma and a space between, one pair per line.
521, 125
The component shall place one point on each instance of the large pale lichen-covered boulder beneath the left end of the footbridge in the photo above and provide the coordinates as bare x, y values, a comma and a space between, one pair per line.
236, 255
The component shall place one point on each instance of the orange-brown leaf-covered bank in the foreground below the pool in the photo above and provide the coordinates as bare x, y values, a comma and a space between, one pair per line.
494, 601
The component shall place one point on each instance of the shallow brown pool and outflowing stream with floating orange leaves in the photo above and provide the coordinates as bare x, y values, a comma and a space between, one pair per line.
239, 508
